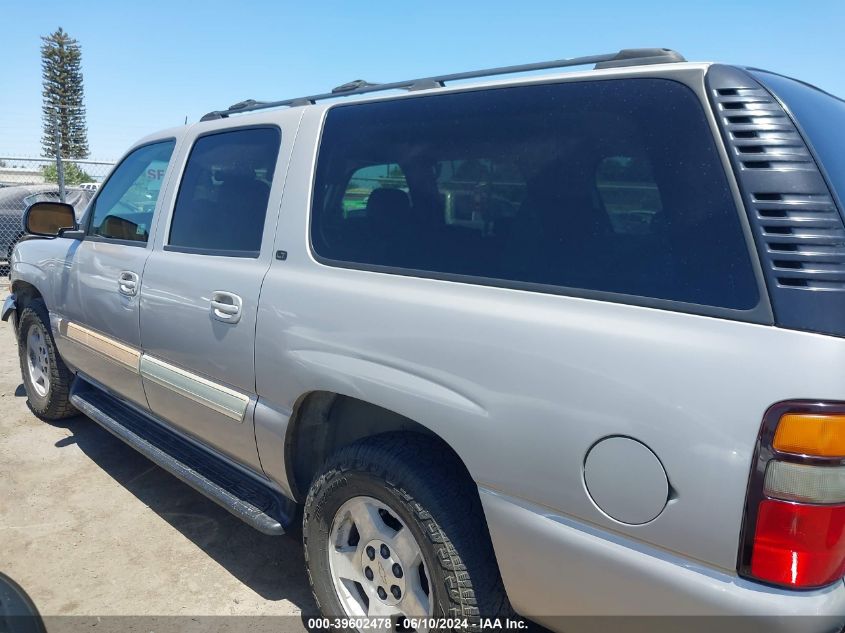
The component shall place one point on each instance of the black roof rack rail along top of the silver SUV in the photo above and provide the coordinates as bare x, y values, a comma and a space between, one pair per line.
625, 57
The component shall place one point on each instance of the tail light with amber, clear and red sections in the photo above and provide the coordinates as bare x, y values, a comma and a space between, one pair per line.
794, 528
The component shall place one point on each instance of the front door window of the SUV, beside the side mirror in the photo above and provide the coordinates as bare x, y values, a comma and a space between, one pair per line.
124, 208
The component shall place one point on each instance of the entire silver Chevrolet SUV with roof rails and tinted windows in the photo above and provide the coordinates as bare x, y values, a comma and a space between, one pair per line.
567, 344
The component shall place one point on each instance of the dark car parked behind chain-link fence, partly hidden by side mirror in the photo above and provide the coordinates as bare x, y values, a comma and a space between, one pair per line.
14, 201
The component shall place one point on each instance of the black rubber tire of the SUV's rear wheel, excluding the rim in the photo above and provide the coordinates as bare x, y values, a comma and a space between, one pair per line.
433, 496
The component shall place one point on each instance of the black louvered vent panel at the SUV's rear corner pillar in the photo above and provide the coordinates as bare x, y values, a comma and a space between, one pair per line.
797, 227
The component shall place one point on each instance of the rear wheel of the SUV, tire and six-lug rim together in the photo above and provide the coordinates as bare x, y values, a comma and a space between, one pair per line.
394, 530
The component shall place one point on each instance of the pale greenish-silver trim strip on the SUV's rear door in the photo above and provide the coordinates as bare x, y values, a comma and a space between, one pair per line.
228, 402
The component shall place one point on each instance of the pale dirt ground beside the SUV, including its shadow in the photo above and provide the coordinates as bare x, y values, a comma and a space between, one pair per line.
89, 527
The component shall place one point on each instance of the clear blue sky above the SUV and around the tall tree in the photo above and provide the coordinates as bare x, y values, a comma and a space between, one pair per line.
148, 64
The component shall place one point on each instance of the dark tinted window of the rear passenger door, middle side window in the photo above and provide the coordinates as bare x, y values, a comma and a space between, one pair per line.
222, 201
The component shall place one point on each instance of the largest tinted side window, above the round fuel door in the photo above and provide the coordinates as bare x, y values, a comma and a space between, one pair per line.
611, 186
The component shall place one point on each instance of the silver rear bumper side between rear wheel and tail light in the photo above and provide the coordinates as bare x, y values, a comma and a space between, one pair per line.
561, 573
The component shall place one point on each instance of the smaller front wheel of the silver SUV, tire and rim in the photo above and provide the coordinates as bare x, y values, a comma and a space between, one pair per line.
46, 378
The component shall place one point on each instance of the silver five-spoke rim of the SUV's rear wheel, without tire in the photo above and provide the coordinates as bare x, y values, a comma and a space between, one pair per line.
376, 563
